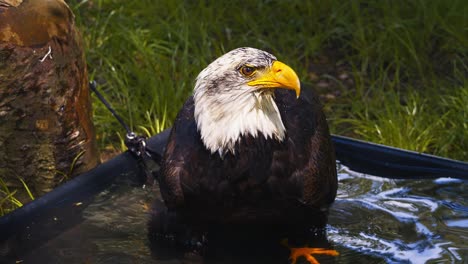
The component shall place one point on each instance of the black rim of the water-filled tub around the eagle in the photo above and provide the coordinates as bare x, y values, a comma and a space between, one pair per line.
59, 210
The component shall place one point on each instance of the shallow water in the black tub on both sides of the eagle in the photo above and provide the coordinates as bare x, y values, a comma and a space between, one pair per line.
374, 220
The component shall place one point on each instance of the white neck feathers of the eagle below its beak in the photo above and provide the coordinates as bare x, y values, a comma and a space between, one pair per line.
223, 119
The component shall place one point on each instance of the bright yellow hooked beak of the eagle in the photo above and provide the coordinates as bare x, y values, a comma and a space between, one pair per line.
279, 75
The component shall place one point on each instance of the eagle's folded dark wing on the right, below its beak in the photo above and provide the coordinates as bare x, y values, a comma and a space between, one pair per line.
309, 142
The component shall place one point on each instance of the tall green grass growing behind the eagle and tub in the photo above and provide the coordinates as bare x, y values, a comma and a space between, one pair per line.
408, 61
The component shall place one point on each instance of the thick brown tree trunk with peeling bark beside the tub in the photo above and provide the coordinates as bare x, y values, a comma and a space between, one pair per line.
46, 130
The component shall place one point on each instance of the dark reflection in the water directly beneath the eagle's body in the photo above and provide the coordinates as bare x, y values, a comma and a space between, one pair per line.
171, 239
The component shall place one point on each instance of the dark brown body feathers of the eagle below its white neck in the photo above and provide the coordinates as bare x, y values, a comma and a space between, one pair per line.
266, 181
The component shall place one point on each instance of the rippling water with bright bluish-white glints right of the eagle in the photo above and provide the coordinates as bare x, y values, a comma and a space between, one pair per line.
400, 221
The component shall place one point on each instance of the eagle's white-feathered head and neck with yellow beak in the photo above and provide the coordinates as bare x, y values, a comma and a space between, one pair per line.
233, 97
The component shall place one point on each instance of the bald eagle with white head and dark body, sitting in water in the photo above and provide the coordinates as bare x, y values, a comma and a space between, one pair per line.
249, 148
